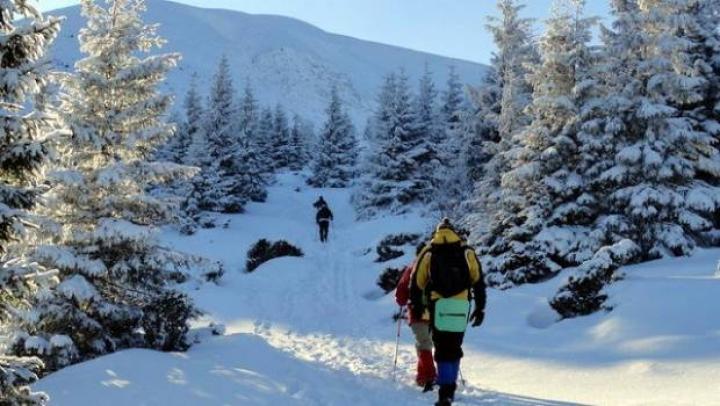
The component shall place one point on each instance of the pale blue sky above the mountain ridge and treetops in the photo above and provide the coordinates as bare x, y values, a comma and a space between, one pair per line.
453, 28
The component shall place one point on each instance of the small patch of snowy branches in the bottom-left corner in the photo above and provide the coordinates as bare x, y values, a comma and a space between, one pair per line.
16, 376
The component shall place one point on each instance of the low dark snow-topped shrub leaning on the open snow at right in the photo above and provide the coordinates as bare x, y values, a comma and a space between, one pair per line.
583, 293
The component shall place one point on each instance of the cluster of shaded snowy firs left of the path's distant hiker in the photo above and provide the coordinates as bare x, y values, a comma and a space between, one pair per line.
237, 145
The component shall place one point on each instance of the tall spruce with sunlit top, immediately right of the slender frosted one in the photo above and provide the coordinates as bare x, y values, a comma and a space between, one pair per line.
532, 241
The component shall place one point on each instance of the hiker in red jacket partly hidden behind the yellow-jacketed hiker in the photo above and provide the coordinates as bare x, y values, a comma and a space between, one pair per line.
425, 376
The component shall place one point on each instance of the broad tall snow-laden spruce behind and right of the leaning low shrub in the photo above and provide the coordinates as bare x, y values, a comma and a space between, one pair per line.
658, 138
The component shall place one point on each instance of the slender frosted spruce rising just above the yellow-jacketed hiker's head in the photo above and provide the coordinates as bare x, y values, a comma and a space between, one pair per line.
516, 52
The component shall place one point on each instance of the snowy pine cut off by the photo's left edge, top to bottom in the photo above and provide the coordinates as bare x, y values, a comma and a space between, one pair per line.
25, 132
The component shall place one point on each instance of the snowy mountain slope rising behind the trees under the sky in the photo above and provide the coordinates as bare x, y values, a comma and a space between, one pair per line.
286, 60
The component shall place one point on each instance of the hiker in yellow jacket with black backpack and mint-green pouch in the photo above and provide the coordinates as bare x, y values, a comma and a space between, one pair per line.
446, 273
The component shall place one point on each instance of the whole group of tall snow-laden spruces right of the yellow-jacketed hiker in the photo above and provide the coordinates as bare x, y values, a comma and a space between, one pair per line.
594, 156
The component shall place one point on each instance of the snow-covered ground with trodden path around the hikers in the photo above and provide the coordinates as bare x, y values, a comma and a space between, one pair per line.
314, 330
